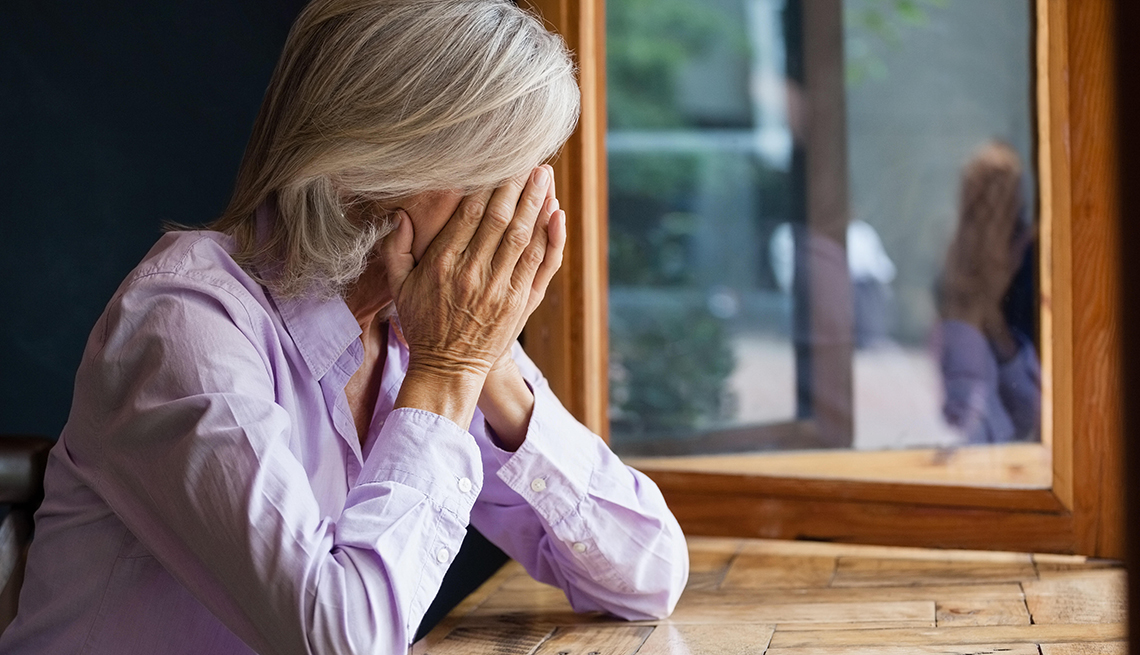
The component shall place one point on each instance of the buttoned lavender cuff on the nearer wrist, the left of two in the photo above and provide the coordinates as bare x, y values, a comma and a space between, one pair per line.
428, 453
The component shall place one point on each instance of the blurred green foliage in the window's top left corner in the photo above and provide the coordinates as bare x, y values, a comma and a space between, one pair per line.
648, 45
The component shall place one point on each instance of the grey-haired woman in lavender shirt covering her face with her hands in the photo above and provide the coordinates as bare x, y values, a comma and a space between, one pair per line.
262, 457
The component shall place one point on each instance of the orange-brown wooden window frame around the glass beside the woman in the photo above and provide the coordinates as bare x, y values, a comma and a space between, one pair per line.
1082, 510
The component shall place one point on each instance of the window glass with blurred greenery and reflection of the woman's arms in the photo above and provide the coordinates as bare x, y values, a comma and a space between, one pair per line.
792, 225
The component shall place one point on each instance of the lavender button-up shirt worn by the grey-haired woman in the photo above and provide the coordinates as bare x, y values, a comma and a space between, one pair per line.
210, 495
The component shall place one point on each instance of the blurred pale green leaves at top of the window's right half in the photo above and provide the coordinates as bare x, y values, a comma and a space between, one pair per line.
876, 26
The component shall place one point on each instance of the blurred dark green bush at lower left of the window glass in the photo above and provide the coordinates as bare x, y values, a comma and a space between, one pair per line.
669, 375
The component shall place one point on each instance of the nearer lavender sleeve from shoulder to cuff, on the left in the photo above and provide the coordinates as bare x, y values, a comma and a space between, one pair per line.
201, 465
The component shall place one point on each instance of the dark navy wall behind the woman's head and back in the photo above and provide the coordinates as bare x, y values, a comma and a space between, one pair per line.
115, 117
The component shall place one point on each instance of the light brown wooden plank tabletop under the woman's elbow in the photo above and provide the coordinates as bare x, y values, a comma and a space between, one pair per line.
804, 599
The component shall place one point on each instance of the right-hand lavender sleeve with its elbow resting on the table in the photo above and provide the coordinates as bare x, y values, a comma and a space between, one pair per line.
575, 517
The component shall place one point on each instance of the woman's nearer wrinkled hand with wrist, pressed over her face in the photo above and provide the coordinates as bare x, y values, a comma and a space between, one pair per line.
463, 305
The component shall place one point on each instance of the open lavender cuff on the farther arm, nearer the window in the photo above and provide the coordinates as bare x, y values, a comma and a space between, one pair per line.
553, 468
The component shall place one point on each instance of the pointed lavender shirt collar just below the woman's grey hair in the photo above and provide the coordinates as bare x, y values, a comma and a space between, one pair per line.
322, 329
